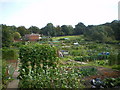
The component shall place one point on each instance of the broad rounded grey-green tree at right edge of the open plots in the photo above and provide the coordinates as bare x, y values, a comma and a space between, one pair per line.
99, 33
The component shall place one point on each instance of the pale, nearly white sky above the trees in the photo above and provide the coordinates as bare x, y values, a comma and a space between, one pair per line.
59, 12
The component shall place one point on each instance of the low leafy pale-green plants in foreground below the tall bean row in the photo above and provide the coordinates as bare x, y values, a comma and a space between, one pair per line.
51, 78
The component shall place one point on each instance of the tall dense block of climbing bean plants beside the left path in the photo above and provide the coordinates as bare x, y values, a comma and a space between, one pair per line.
37, 56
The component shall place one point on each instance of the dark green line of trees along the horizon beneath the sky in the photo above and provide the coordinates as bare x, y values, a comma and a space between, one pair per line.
102, 33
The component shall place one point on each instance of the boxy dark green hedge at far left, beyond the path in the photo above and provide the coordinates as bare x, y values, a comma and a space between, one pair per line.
9, 54
